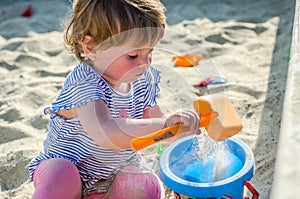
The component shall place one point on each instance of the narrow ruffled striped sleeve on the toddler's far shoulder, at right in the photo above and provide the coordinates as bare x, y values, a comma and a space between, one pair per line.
152, 78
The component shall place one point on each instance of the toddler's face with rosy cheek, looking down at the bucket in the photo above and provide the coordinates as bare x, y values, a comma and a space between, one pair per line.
123, 63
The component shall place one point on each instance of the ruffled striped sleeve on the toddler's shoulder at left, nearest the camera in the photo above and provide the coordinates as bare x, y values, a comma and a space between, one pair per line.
83, 84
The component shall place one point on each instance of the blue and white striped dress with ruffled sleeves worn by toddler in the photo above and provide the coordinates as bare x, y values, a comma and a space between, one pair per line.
67, 139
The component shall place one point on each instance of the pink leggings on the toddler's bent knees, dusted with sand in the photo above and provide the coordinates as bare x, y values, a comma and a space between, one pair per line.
58, 178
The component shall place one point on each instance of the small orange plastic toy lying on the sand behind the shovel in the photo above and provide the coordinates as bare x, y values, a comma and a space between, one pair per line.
186, 60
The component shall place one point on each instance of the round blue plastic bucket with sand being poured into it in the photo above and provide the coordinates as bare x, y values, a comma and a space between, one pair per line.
230, 187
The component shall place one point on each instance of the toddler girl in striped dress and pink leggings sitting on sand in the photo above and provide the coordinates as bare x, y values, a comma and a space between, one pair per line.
107, 100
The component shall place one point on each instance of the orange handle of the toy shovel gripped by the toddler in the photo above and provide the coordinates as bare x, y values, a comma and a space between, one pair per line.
168, 132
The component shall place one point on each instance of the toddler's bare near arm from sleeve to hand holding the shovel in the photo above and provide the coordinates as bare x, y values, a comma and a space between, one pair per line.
110, 132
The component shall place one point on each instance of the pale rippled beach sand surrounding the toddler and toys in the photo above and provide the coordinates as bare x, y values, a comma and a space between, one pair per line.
246, 42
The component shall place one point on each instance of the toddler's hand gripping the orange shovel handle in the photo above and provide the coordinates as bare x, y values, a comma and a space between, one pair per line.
188, 118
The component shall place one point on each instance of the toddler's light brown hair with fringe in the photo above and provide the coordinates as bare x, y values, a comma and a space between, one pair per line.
103, 19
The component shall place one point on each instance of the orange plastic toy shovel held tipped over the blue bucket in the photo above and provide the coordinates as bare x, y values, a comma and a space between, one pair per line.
217, 116
